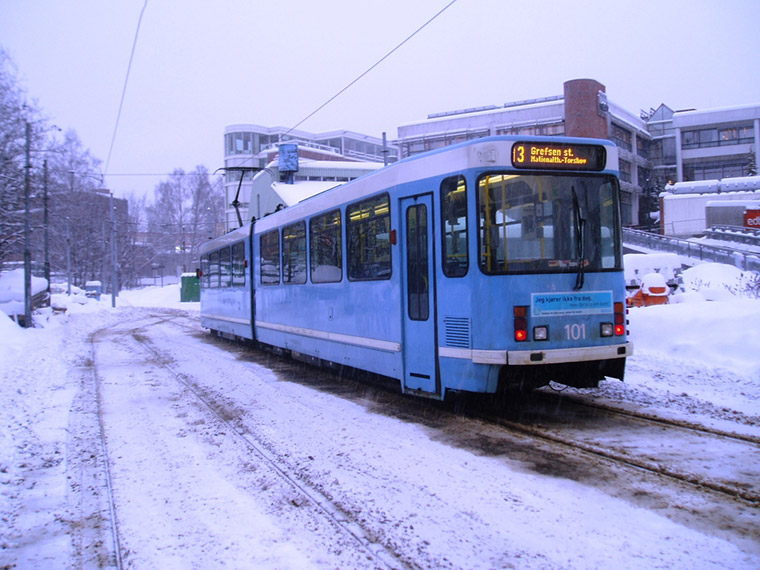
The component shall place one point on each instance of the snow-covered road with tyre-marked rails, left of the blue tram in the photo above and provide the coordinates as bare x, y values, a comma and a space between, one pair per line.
214, 459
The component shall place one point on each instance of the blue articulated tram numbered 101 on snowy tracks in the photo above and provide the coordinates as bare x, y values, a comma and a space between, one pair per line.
477, 267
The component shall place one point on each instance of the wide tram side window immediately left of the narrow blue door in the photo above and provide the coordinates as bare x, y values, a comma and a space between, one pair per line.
369, 239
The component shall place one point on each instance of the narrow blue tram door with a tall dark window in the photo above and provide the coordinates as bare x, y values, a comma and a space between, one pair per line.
418, 247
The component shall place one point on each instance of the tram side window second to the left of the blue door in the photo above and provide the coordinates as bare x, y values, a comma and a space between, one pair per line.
326, 248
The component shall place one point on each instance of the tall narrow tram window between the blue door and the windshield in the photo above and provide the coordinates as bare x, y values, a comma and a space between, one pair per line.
454, 223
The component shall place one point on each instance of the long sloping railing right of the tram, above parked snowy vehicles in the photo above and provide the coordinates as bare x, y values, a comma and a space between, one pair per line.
747, 261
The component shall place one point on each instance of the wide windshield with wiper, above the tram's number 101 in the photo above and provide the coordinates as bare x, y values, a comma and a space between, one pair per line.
548, 223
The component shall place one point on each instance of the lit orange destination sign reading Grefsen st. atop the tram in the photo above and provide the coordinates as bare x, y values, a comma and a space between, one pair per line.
558, 156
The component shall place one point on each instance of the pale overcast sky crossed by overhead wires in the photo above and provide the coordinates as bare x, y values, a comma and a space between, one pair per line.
202, 65
